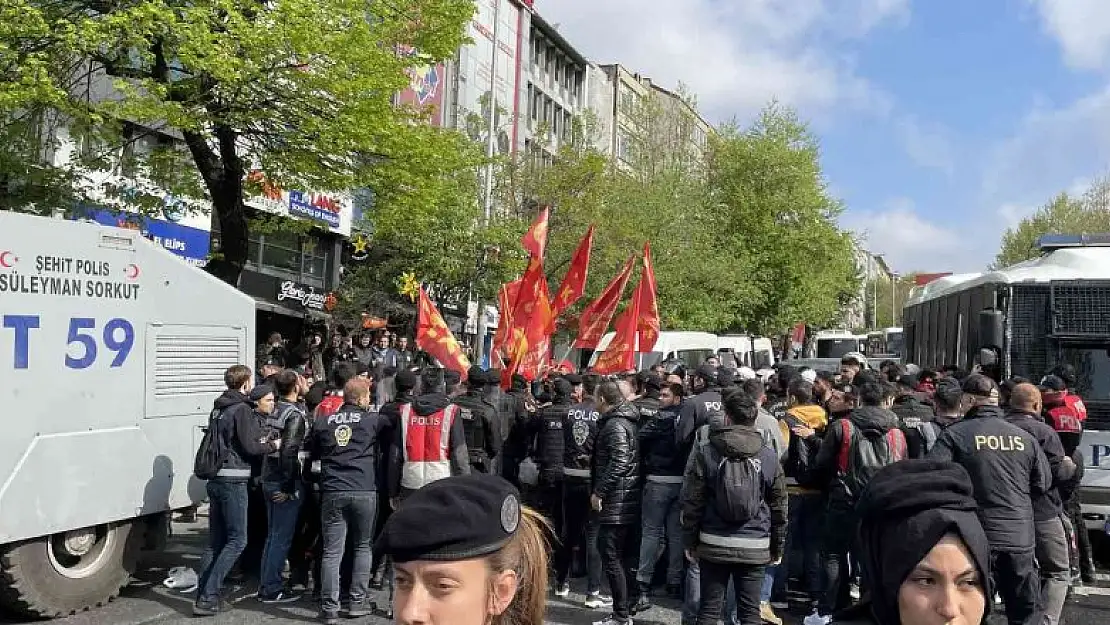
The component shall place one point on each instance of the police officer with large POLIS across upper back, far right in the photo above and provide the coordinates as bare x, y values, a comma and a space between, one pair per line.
1010, 471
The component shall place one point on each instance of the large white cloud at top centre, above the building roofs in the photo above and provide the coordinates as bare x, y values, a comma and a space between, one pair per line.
736, 56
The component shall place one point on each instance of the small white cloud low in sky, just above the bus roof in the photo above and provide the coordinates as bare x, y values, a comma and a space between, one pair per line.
911, 243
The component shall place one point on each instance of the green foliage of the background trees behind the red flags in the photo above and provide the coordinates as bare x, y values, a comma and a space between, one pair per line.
742, 227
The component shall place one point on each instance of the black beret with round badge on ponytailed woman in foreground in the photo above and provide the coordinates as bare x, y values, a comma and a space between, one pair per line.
453, 519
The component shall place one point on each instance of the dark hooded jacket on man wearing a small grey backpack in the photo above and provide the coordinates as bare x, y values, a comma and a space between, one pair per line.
760, 540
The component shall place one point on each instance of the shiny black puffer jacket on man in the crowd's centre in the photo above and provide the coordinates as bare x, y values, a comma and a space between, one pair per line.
617, 467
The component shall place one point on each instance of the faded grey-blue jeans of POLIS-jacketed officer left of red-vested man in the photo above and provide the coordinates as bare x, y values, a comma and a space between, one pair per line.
342, 515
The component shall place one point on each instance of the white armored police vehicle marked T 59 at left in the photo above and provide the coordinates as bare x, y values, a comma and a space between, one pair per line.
113, 351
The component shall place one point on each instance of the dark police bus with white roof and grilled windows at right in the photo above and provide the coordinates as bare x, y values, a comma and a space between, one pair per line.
1024, 320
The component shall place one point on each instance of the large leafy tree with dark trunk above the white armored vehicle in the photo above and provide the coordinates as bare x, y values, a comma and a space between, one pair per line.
299, 90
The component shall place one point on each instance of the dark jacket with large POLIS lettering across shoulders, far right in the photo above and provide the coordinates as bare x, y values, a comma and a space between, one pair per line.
1008, 470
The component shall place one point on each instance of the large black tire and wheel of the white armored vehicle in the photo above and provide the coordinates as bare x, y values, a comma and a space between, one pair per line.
69, 572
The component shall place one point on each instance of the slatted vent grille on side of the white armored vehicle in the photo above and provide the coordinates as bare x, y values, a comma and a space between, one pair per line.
187, 366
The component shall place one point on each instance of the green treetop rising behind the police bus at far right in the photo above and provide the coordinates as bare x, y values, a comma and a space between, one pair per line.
1064, 215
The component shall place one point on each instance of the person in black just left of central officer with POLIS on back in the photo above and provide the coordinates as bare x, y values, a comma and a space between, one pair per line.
548, 426
